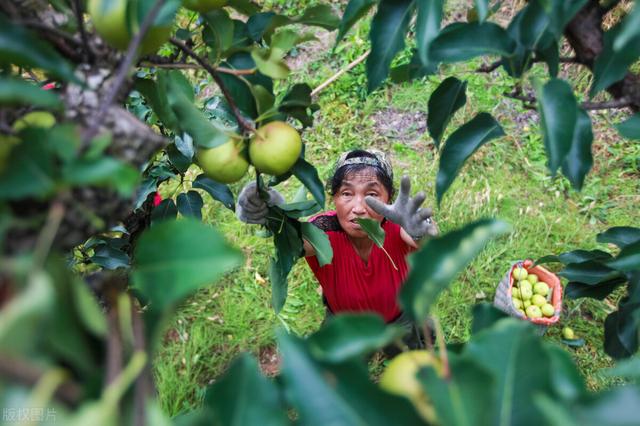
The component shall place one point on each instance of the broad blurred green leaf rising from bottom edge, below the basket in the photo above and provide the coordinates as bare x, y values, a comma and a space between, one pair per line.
515, 357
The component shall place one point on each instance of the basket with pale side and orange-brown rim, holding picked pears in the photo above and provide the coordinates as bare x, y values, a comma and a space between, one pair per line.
503, 301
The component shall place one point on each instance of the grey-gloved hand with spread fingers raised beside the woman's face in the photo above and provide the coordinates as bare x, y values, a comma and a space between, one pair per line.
406, 212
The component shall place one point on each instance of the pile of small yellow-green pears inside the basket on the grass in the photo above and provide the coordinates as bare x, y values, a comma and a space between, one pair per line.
530, 296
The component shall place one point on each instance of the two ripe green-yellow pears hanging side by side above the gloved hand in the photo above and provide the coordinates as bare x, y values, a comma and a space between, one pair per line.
273, 149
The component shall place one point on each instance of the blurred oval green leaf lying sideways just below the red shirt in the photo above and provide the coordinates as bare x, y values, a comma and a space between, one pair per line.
351, 336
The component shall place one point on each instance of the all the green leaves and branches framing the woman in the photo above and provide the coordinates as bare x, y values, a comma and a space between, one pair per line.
86, 160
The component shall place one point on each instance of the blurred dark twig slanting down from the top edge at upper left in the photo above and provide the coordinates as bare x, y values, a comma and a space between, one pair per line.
122, 72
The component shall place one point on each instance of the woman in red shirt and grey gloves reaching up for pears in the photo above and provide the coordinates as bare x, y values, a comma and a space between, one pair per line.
361, 276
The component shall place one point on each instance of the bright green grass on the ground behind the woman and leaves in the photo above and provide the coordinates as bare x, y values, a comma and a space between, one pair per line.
506, 179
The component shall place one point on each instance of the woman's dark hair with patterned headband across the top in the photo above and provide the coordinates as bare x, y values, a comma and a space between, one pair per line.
383, 171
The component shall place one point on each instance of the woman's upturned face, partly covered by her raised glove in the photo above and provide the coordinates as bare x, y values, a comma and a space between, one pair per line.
350, 204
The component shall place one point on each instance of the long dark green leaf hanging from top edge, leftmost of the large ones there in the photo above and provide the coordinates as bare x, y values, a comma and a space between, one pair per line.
388, 30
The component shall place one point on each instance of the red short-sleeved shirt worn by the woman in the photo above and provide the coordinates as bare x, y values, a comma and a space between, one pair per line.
351, 285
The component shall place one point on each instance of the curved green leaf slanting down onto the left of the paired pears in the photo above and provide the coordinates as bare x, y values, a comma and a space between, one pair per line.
192, 121
